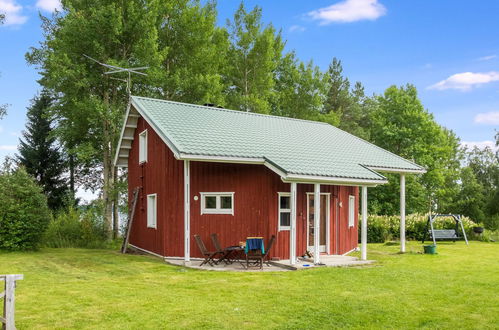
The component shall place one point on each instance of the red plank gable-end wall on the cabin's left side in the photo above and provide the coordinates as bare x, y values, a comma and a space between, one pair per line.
163, 175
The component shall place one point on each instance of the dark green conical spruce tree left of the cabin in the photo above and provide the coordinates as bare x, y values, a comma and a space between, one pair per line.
40, 154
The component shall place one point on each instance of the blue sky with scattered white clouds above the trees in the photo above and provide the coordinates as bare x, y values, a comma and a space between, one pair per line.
448, 49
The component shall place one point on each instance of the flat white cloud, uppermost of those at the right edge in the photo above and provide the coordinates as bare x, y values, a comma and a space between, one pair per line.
466, 80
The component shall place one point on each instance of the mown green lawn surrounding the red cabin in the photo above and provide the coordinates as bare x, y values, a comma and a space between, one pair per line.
77, 288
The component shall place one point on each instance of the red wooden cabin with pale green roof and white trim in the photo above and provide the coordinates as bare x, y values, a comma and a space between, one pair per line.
204, 170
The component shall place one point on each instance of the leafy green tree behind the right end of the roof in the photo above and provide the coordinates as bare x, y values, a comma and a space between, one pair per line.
401, 125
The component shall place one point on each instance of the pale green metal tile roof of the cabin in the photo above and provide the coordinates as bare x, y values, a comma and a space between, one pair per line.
295, 147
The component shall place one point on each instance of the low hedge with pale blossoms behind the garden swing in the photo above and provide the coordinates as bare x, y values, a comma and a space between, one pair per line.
381, 228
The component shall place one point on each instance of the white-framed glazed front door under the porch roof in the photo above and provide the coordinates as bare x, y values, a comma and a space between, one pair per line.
324, 222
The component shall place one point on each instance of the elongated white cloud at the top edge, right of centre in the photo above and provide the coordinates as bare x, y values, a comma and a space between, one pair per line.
349, 11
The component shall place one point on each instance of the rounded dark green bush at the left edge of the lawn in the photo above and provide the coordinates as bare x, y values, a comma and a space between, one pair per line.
24, 213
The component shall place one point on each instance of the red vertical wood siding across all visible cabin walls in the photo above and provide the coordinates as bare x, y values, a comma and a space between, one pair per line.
255, 190
